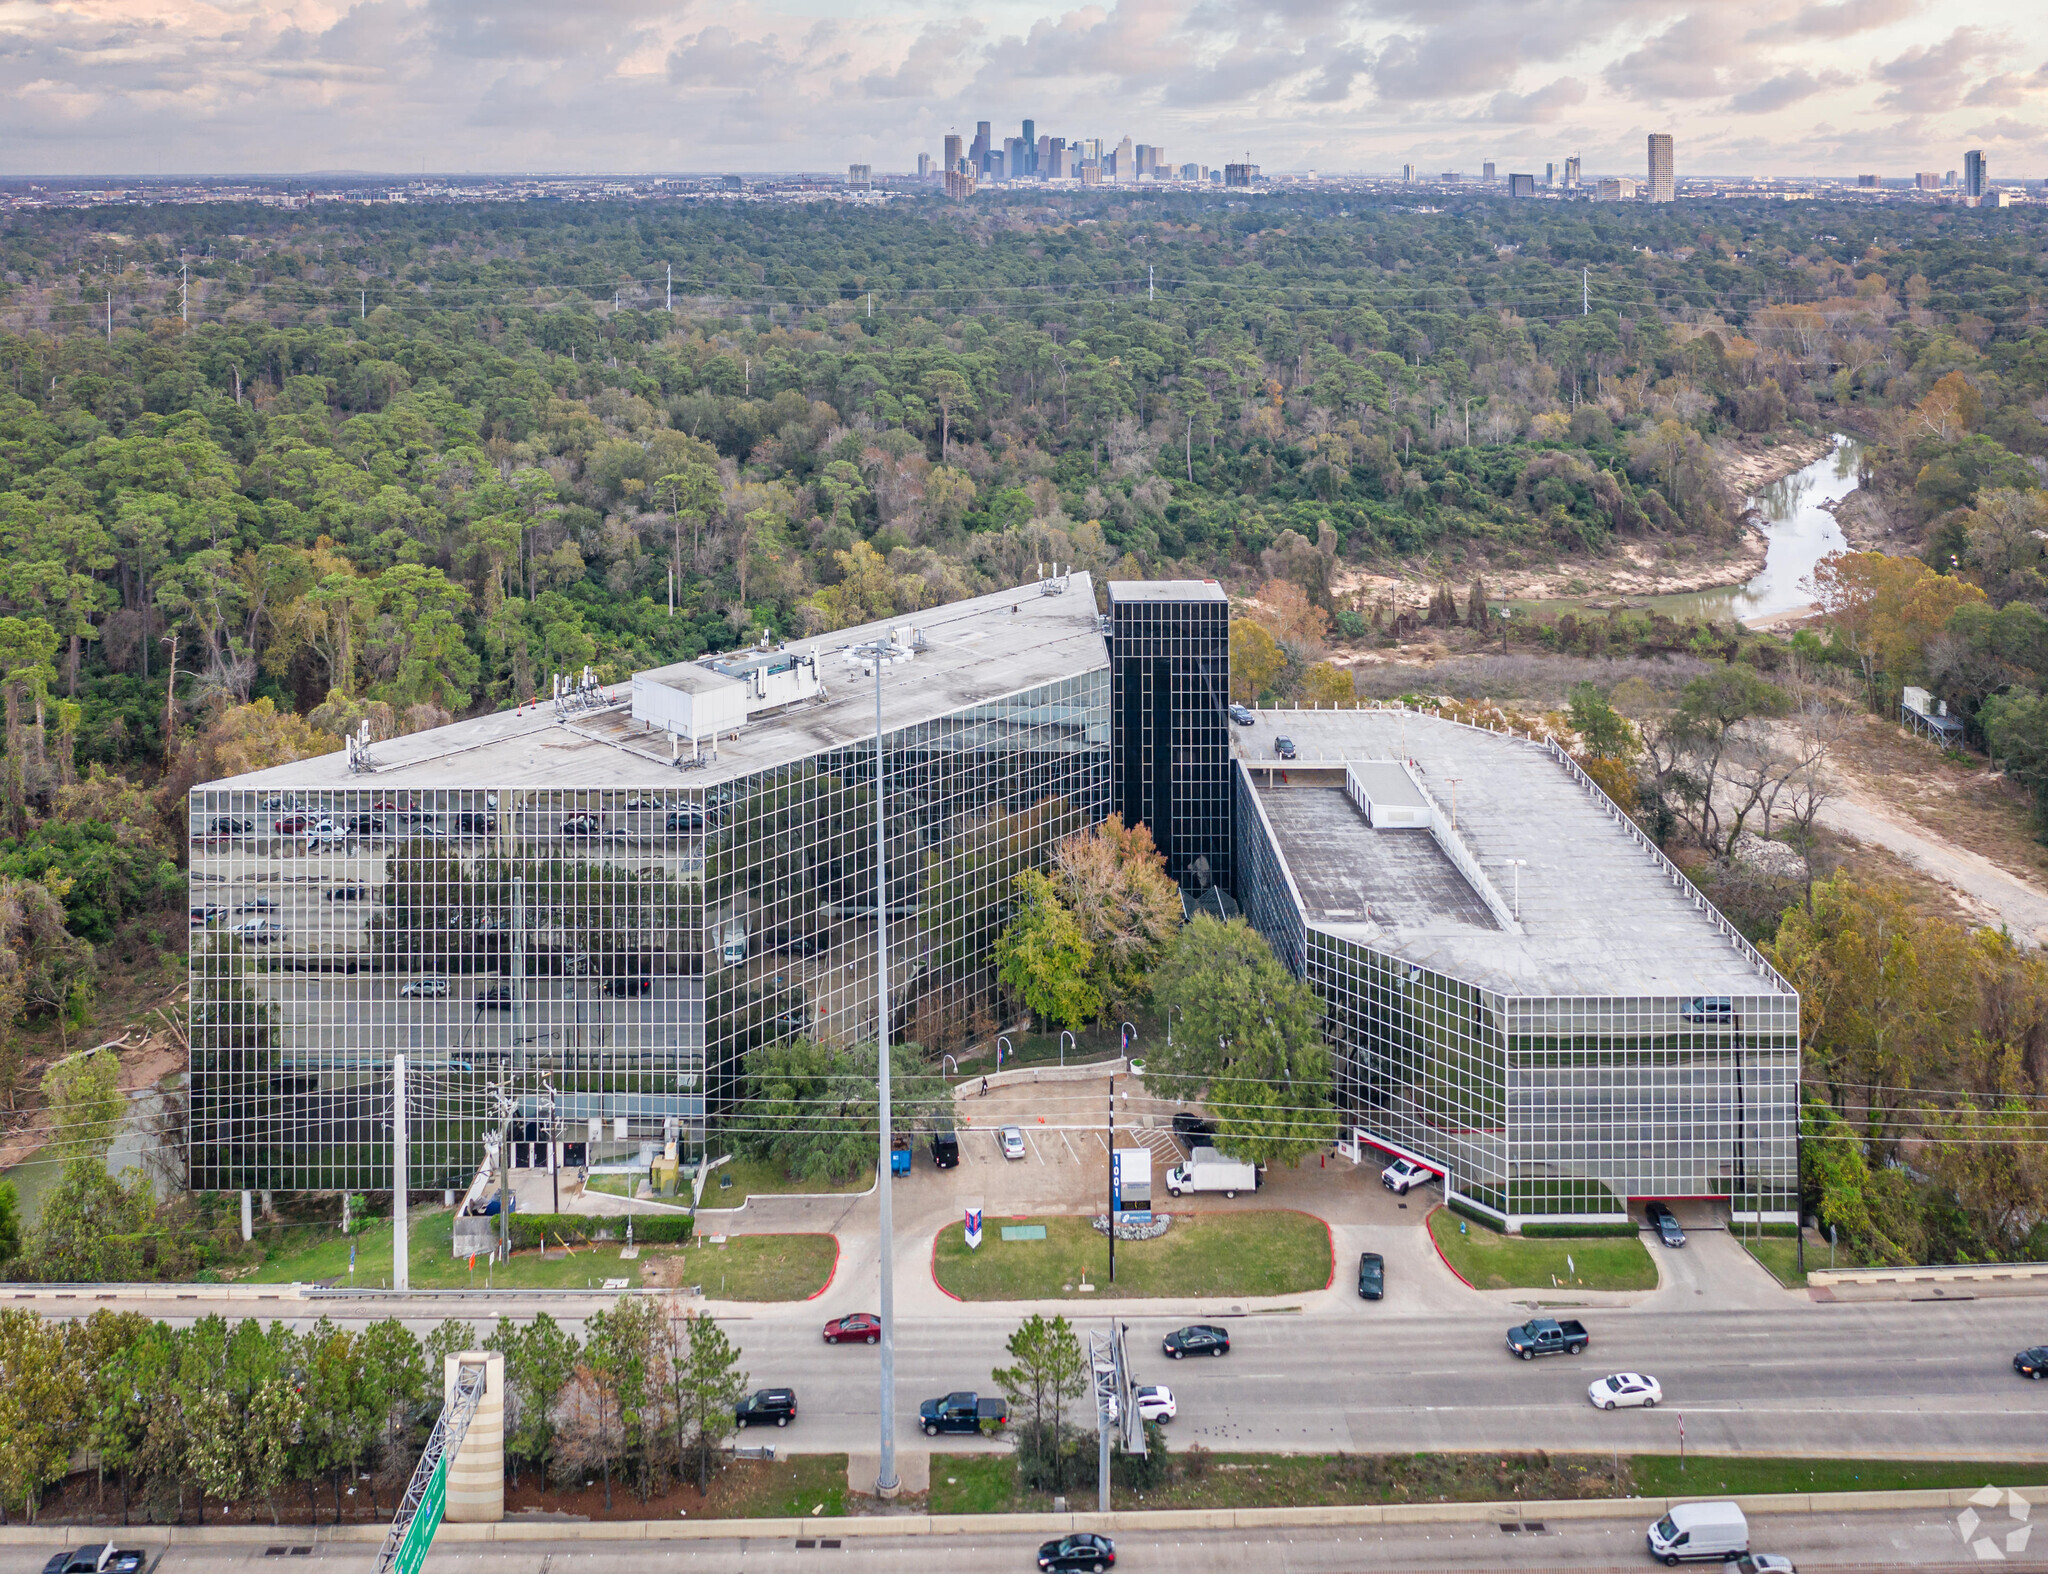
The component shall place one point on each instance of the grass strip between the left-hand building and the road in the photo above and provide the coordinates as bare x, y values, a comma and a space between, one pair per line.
753, 1268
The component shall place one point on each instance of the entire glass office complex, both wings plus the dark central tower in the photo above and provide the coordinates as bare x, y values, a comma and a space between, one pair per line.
597, 906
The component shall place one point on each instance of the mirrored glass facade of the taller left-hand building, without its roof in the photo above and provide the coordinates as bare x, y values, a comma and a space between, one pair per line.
595, 963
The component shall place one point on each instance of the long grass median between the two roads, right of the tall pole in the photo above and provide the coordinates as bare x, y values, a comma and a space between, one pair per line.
1197, 1479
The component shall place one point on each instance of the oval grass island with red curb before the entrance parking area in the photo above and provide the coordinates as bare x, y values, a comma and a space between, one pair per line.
1261, 1254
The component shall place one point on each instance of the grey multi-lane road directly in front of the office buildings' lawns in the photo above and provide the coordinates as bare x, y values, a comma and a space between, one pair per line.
1887, 1379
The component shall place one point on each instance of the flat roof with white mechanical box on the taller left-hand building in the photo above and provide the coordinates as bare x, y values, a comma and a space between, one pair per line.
955, 656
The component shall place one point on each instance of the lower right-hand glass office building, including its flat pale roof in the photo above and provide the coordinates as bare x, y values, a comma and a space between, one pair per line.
1521, 990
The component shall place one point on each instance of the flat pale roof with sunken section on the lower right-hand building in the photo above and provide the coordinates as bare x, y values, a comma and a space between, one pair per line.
1601, 914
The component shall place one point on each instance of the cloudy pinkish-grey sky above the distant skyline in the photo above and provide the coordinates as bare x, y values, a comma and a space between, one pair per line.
1836, 87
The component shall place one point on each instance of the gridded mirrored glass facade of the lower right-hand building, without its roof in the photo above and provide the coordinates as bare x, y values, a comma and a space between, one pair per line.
1545, 1108
